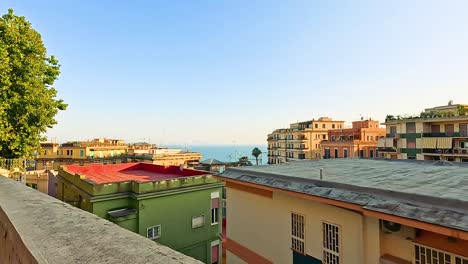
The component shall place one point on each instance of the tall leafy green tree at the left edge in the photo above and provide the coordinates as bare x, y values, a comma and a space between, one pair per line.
28, 101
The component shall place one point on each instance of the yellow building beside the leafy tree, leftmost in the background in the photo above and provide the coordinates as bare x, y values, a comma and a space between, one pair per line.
53, 155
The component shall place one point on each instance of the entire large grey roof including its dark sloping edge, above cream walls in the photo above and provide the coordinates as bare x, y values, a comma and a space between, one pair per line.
416, 190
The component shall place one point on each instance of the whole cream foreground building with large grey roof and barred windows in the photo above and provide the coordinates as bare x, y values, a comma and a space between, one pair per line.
353, 211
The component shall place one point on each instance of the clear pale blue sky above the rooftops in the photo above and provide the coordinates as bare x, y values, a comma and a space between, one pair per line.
224, 72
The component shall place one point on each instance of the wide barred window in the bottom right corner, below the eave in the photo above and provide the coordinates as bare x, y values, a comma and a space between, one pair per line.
427, 255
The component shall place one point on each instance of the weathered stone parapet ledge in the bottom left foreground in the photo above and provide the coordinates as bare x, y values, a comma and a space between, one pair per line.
36, 228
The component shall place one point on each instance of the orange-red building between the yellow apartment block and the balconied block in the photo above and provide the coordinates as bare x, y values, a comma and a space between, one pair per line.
358, 141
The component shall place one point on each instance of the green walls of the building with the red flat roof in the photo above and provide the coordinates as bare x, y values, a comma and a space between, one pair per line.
183, 213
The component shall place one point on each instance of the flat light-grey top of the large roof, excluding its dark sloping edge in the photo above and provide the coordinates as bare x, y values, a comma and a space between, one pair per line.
411, 177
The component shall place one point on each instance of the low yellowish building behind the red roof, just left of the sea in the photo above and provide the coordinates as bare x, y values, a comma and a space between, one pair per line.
150, 153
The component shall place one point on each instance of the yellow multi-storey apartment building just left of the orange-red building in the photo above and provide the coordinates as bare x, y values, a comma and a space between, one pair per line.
300, 141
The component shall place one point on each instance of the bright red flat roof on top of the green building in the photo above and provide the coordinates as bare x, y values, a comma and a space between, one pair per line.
142, 172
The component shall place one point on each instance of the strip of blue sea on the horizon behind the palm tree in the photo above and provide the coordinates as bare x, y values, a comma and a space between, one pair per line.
227, 153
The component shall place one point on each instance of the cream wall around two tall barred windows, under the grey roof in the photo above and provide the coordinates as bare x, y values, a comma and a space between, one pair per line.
264, 226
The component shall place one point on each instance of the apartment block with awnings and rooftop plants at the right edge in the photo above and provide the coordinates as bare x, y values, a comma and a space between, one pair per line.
439, 133
